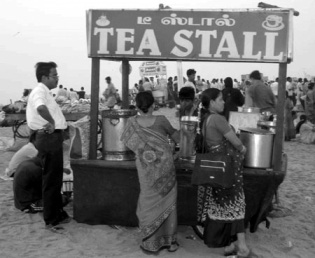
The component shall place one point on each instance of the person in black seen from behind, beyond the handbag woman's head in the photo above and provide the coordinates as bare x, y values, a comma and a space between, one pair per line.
232, 97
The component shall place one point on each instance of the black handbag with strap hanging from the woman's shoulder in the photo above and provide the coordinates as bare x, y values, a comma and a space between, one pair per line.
213, 169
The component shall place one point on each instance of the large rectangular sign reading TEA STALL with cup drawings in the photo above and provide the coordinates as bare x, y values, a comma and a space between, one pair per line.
215, 35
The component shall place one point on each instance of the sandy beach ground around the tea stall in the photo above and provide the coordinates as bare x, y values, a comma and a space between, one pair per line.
291, 233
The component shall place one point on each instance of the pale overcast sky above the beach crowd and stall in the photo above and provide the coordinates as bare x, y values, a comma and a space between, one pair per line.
39, 30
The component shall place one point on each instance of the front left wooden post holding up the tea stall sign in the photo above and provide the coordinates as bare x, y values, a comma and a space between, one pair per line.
95, 88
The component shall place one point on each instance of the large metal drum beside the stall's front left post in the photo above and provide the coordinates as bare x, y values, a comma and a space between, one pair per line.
113, 125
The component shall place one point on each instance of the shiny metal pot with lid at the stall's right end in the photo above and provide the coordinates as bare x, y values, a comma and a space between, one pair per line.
259, 144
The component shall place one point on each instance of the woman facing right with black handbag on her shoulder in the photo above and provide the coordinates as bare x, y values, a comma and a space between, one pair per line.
221, 211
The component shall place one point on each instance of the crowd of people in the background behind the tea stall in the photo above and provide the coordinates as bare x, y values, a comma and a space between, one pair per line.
256, 91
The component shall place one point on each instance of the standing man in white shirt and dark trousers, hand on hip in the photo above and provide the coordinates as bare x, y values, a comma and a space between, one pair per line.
46, 121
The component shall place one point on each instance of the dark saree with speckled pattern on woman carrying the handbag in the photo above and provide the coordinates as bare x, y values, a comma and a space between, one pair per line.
222, 211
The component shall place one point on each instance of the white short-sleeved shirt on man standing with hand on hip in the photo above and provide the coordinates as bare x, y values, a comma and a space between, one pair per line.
41, 95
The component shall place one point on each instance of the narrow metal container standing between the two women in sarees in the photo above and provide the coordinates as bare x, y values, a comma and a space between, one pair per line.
188, 131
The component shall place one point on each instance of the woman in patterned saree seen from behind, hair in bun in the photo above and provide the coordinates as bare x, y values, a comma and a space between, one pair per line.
147, 136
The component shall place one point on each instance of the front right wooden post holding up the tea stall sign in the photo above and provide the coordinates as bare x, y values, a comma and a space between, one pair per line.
278, 146
